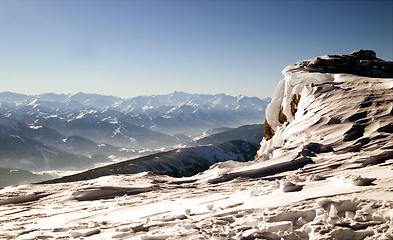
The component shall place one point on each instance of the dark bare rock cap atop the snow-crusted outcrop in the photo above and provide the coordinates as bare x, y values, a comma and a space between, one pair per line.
361, 62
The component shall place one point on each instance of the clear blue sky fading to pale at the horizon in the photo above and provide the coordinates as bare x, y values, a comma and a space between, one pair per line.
129, 48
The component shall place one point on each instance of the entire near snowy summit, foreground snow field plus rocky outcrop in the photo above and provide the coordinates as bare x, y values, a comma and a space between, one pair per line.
326, 173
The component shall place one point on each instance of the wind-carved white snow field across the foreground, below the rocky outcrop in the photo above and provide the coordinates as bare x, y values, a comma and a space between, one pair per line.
153, 207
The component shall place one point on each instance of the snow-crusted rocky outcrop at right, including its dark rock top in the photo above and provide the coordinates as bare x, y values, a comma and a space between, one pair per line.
309, 83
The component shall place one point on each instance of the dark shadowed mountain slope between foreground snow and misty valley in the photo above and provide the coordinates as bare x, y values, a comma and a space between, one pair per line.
185, 161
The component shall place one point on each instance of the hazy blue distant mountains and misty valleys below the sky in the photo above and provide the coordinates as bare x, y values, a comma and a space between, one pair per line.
77, 131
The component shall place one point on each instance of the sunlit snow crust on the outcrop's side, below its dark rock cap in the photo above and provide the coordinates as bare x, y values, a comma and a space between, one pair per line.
313, 111
